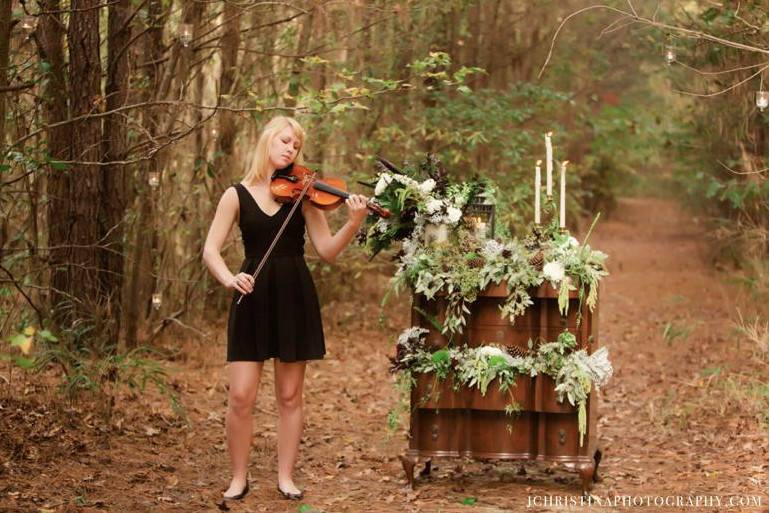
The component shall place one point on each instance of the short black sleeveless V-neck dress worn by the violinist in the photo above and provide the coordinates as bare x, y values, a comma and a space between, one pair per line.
281, 318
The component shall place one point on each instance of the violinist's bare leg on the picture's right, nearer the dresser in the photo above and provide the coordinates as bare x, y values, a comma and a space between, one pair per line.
289, 381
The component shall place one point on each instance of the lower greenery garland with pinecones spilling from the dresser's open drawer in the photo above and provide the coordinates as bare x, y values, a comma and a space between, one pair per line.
574, 372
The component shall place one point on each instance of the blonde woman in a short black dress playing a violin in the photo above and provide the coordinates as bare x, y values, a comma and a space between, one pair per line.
279, 316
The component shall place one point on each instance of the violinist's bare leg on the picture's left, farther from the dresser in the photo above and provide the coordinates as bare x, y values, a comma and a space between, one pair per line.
244, 383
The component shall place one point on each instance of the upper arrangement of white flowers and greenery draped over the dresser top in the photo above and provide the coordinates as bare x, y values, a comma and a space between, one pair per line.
461, 265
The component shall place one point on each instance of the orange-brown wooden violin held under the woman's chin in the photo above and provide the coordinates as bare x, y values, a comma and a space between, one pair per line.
287, 184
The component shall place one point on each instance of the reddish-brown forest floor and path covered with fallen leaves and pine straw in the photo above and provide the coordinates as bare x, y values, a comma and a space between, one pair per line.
685, 413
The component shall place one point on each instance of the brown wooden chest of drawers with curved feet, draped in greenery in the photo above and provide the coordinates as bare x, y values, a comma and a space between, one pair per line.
454, 423
